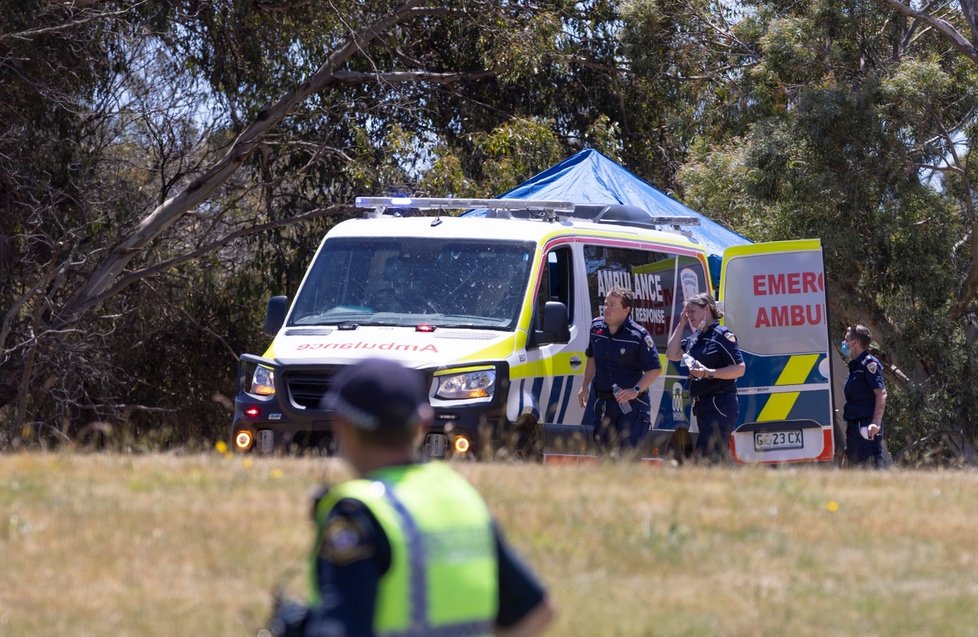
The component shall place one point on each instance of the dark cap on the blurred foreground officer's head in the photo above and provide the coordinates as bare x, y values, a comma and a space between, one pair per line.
378, 393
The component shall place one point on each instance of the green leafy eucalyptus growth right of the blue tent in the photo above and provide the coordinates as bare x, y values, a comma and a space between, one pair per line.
852, 123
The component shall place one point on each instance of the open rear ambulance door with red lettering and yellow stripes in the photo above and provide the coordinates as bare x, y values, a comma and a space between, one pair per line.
774, 302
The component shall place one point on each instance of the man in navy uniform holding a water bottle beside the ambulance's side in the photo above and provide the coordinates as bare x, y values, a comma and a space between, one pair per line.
622, 363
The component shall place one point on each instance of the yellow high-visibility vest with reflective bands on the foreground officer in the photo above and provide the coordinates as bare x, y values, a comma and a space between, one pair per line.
443, 578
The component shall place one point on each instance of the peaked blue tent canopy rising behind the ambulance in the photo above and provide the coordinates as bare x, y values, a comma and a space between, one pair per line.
588, 177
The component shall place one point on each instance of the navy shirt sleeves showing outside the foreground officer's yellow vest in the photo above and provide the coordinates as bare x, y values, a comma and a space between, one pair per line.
355, 553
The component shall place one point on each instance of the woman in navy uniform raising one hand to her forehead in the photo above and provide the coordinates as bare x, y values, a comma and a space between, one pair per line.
715, 362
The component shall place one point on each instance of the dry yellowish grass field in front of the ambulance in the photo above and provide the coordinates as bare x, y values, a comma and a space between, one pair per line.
194, 545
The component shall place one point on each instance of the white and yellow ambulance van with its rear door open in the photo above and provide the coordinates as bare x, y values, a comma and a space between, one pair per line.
494, 309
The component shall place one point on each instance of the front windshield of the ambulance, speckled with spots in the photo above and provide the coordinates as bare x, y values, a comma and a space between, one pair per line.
409, 280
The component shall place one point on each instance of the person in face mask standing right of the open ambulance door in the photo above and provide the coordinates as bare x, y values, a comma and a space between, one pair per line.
865, 401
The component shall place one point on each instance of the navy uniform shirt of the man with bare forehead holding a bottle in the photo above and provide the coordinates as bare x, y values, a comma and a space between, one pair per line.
621, 358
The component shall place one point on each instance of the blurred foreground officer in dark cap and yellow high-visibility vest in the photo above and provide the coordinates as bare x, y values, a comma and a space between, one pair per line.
408, 548
